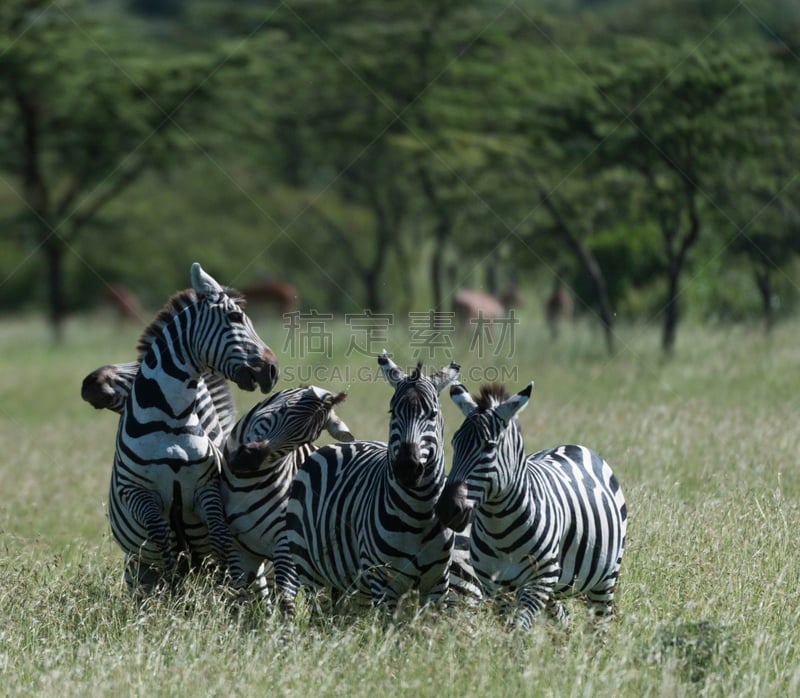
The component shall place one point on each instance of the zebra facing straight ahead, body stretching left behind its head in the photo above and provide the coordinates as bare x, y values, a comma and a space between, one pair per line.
360, 515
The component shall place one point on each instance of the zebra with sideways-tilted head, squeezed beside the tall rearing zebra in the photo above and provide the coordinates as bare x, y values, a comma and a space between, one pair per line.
262, 454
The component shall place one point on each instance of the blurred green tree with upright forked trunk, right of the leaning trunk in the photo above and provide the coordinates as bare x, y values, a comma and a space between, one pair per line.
671, 115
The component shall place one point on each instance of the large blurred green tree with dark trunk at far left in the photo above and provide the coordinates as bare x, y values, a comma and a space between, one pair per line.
81, 119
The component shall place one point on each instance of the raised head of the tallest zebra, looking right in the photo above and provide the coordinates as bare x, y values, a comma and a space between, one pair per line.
223, 338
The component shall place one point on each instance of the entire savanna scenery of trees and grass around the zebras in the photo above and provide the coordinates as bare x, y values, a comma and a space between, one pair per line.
380, 157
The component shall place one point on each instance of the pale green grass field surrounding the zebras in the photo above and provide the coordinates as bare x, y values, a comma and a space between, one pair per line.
705, 446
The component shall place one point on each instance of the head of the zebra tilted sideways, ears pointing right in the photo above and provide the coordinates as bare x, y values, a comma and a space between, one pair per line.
282, 423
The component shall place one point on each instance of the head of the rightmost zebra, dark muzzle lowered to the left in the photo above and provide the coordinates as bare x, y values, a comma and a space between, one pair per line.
488, 452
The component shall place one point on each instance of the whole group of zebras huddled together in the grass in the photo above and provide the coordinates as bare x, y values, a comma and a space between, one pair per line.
256, 500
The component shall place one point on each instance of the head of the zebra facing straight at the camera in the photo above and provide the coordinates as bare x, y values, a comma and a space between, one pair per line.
415, 425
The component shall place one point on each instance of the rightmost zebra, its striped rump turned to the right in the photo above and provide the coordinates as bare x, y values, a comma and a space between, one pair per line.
547, 526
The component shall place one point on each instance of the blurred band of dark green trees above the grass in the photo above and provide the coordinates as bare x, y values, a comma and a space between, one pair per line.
355, 148
